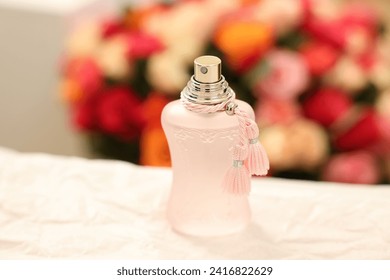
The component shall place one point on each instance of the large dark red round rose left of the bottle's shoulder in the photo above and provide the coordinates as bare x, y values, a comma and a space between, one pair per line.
119, 112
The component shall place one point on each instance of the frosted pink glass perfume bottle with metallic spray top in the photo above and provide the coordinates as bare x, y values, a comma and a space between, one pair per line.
201, 152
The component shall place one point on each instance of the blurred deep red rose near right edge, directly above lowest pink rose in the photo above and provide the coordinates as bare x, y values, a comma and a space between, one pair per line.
363, 134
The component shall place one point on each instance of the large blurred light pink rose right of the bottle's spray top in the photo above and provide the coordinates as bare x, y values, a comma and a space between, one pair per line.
287, 76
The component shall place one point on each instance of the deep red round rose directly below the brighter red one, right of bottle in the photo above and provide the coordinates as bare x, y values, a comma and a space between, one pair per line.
327, 106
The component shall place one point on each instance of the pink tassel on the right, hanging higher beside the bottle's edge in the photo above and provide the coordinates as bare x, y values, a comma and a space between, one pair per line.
257, 162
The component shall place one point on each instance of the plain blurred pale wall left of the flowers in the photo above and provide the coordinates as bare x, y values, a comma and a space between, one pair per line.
32, 117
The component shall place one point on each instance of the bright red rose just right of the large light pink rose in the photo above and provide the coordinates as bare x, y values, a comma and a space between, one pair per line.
319, 57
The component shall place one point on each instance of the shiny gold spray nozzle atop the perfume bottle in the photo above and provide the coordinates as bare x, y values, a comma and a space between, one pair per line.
207, 69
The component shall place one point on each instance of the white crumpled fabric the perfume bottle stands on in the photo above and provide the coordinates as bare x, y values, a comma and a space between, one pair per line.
63, 207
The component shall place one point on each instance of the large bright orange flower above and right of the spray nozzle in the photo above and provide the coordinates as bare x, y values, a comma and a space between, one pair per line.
241, 41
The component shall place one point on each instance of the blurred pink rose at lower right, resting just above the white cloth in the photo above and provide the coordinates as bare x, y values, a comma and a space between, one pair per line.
356, 167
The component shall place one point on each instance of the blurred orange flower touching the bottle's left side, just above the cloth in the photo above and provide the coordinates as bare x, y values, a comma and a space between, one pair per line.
154, 147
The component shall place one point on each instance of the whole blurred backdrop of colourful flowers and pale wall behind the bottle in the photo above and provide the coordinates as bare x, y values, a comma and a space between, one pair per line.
90, 78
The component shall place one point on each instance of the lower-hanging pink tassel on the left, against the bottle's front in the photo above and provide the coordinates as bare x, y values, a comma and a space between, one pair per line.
237, 178
